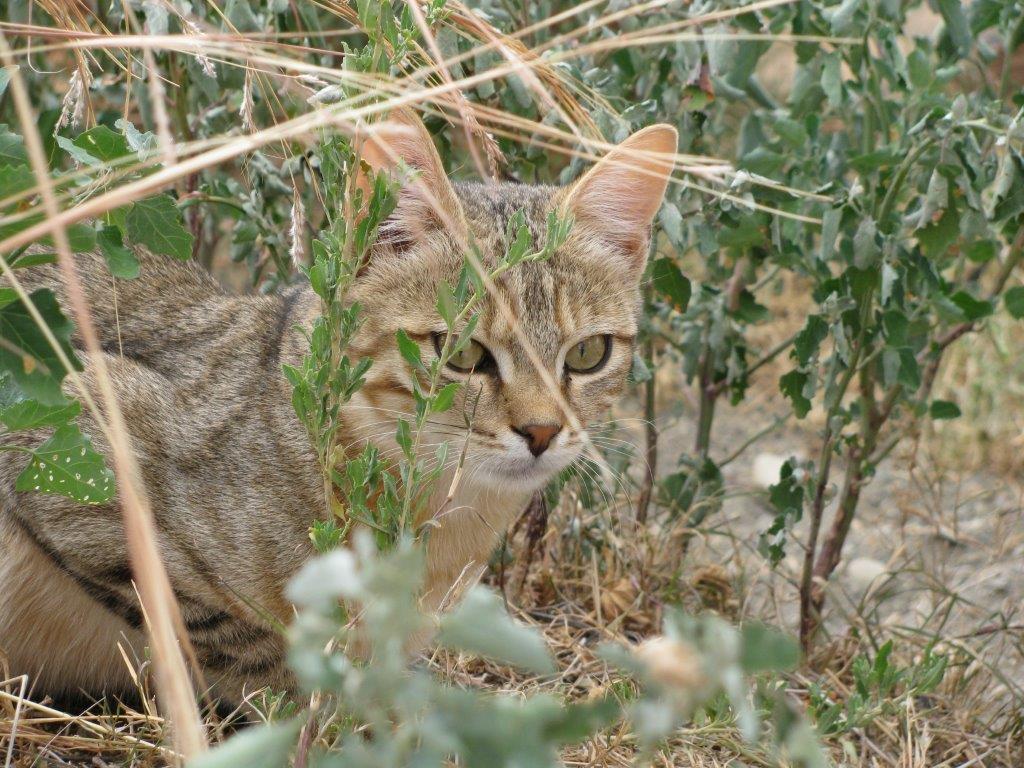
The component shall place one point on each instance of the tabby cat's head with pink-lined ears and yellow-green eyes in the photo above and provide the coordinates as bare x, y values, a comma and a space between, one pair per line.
551, 352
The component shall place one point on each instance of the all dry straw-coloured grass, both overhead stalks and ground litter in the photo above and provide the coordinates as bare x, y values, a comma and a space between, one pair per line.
594, 576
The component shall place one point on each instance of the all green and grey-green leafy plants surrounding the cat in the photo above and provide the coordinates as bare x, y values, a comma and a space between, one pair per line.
887, 184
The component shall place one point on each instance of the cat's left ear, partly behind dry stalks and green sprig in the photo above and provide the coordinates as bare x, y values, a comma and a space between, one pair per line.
428, 202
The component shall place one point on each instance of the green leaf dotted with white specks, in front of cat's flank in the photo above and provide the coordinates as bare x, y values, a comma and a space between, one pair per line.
67, 464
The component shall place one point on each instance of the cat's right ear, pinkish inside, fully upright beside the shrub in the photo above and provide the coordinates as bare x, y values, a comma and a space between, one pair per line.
618, 199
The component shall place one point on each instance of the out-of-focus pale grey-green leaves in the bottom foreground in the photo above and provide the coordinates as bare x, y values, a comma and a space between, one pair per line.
412, 718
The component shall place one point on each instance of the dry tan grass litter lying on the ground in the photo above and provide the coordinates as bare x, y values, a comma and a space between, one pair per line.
596, 579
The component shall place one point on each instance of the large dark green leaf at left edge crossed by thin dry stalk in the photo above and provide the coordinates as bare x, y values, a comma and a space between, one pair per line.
25, 353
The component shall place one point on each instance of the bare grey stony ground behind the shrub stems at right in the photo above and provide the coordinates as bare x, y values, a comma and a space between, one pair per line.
931, 551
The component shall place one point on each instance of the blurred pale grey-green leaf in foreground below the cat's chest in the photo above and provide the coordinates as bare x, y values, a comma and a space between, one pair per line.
482, 626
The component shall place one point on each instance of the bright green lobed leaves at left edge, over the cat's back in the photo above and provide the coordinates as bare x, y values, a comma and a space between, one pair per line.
34, 370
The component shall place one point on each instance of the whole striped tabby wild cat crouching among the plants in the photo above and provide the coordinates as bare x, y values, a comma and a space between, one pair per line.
230, 472
